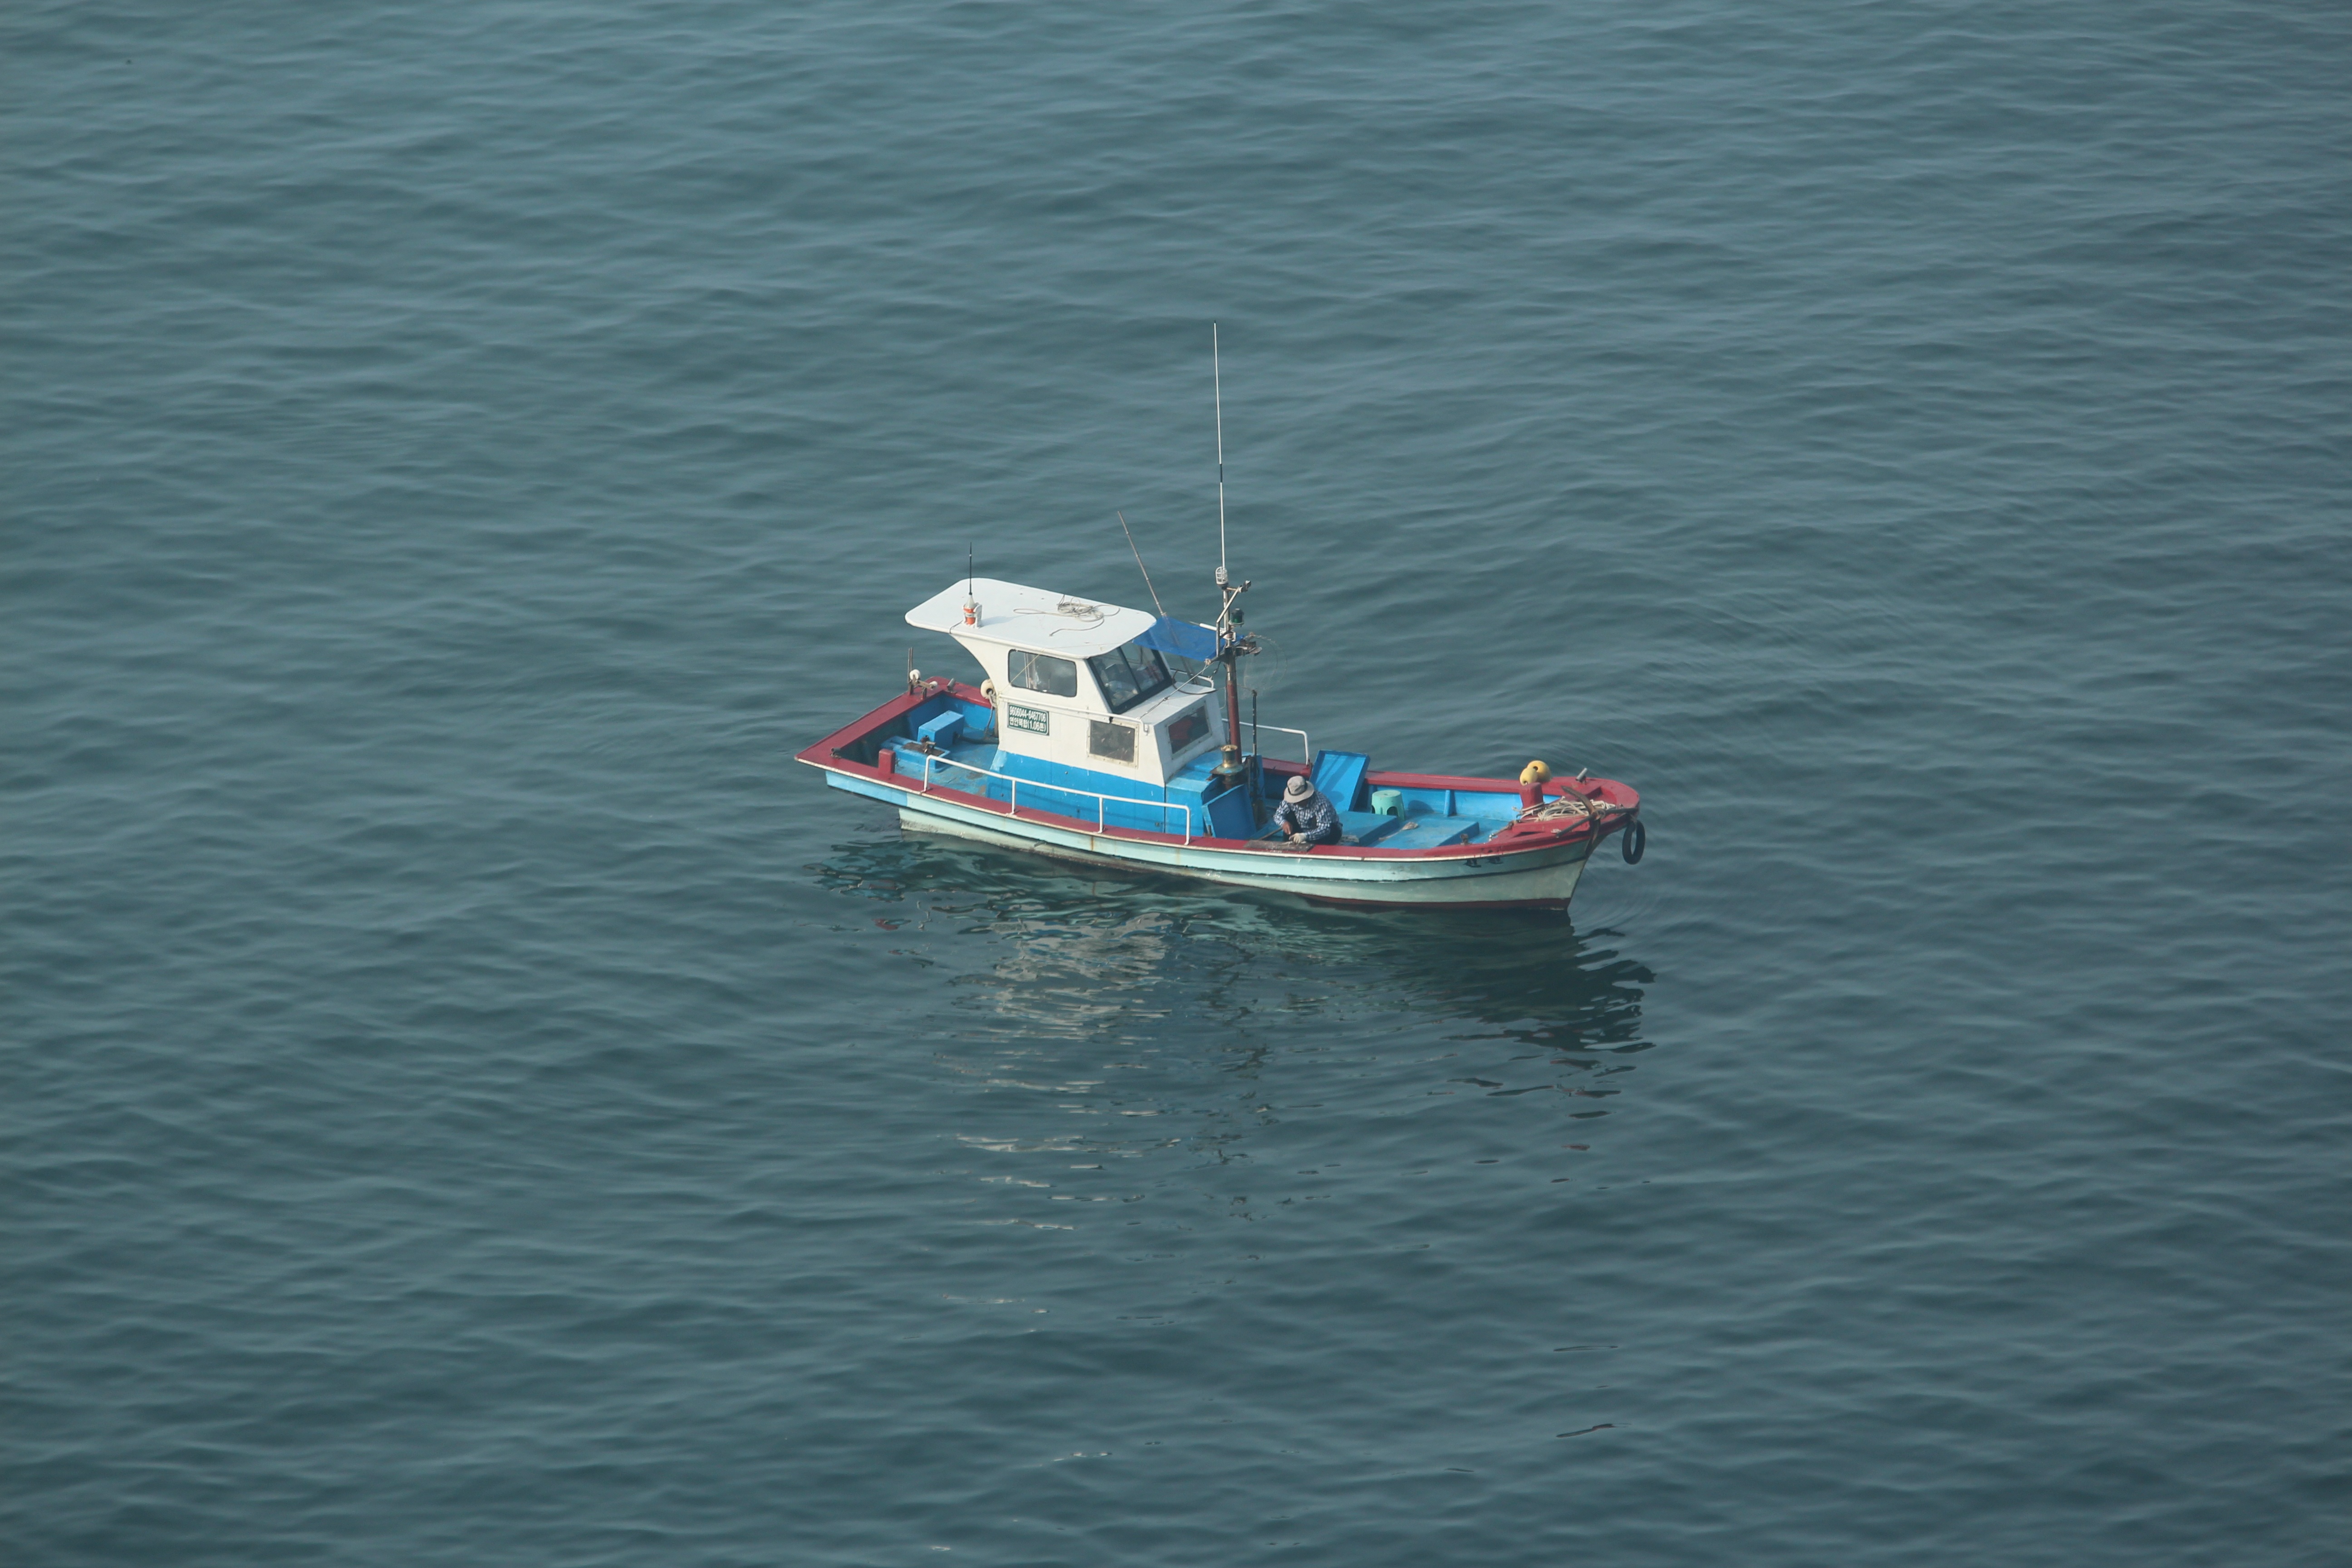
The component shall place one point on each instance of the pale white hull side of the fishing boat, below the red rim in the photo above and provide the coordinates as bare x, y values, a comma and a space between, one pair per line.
1521, 878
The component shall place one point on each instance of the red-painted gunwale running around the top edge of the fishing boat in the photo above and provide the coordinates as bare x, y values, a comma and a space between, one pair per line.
1516, 840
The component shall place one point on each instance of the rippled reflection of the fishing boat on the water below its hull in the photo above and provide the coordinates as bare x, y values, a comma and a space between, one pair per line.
1123, 1017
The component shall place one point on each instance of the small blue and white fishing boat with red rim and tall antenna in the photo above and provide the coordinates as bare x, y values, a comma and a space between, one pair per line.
1114, 737
